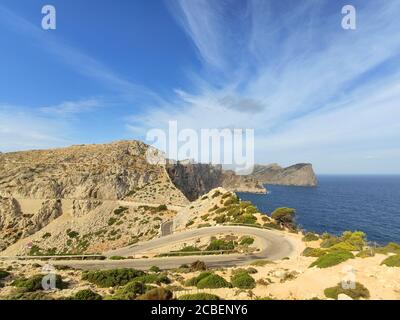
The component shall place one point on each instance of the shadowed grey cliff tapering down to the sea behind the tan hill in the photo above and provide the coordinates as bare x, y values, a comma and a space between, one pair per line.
195, 179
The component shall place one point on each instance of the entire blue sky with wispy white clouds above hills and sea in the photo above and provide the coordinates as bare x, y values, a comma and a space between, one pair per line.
112, 70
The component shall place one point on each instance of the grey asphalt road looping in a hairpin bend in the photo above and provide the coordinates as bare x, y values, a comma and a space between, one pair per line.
273, 247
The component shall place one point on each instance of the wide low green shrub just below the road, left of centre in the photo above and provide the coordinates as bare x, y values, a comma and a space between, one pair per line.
112, 278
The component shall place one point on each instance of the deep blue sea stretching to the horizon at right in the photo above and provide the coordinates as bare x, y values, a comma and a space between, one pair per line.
339, 203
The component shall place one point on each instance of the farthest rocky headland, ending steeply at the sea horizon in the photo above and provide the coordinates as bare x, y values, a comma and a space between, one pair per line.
296, 175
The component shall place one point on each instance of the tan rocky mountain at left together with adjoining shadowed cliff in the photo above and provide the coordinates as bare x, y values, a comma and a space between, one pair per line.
89, 198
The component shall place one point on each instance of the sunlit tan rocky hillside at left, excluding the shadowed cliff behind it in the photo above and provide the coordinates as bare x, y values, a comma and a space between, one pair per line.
38, 188
